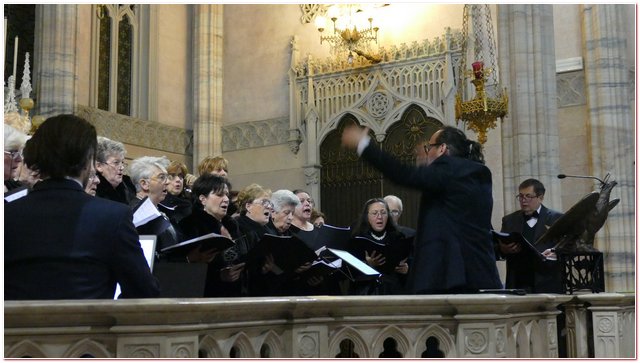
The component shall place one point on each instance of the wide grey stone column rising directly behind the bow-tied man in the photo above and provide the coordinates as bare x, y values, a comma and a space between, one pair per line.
530, 146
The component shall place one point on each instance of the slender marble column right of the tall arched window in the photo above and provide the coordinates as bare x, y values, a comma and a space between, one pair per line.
207, 81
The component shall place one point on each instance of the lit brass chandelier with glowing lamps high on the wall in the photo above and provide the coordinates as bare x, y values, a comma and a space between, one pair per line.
353, 31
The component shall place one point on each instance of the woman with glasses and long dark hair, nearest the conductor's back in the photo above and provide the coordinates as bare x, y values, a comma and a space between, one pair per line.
373, 230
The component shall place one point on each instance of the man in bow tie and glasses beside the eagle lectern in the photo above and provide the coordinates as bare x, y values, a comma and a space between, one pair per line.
524, 269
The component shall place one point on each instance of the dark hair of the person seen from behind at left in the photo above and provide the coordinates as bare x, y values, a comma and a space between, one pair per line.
62, 146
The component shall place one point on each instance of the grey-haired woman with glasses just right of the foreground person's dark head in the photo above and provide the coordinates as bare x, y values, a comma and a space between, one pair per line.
110, 166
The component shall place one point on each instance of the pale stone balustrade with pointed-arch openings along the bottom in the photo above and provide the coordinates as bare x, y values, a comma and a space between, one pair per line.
413, 326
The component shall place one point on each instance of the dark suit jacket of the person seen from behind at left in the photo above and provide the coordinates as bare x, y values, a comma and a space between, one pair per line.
61, 243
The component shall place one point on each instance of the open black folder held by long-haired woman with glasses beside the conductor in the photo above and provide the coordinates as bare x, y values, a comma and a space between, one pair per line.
393, 253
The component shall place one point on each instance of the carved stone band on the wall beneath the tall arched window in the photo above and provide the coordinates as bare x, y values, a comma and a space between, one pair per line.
135, 131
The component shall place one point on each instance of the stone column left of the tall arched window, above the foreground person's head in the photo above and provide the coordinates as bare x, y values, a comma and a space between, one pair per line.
55, 59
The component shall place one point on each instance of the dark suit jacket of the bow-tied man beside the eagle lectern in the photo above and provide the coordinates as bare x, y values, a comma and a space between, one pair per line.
525, 271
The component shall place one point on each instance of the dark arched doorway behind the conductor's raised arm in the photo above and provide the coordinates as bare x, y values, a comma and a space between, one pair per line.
346, 182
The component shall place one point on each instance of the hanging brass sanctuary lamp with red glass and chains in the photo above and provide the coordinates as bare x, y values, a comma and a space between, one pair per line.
481, 111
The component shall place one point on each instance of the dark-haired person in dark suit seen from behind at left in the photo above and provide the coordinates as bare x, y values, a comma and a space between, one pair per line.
62, 243
